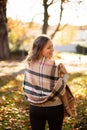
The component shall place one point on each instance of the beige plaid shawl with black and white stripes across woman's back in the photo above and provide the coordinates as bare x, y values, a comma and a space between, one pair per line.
42, 83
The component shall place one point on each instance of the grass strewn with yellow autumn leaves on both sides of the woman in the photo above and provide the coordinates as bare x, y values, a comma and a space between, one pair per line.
14, 110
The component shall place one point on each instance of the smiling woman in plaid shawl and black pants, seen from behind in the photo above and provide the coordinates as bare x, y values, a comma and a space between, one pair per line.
43, 86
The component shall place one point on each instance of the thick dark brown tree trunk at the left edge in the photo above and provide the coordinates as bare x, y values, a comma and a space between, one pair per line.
4, 48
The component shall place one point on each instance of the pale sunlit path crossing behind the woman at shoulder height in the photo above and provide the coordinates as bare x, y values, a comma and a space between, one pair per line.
14, 67
